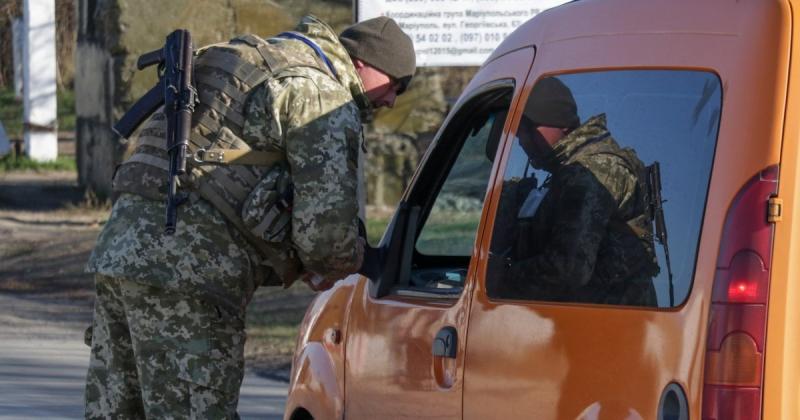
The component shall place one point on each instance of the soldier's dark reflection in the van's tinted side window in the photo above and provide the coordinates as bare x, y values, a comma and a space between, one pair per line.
590, 239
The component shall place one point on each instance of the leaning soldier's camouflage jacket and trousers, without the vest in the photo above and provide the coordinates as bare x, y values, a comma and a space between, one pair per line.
315, 120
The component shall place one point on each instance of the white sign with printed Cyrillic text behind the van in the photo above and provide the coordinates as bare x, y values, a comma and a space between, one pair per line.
455, 32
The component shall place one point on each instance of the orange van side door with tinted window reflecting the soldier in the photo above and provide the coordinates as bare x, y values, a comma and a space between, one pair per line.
554, 332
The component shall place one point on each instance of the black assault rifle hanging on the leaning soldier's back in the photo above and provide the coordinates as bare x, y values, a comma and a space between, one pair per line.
175, 90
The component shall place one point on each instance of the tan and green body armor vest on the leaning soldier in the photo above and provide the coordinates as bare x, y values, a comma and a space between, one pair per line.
221, 167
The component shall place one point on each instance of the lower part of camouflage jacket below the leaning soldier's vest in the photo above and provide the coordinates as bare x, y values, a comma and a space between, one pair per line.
133, 245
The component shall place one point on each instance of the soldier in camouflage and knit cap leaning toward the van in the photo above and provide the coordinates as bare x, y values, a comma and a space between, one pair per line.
168, 334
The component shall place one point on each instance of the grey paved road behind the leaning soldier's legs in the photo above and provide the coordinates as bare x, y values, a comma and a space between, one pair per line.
43, 366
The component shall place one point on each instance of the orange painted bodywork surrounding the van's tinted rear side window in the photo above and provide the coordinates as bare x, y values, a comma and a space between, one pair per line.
555, 361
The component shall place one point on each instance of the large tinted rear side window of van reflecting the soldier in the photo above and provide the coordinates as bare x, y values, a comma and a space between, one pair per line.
574, 224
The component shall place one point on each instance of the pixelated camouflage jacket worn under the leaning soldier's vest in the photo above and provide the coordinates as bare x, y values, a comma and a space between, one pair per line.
315, 120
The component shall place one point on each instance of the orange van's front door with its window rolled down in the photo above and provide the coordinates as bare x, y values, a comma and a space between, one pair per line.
407, 331
